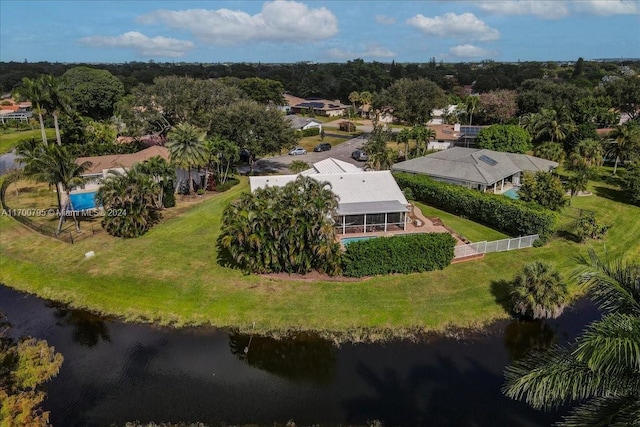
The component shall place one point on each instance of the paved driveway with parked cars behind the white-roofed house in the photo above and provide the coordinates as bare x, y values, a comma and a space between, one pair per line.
280, 164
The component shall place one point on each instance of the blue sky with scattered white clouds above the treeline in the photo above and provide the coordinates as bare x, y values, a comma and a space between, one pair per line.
319, 31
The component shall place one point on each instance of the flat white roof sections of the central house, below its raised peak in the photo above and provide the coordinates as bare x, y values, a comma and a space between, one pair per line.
354, 187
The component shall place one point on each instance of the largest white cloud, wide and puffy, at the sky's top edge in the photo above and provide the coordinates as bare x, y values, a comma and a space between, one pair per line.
277, 21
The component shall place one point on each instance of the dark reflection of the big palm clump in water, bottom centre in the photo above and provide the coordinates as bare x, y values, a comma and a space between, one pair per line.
300, 357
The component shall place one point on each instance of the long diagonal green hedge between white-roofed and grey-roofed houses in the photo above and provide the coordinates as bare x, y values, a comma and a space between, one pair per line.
513, 217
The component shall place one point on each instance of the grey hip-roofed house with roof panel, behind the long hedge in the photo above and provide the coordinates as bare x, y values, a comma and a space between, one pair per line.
475, 168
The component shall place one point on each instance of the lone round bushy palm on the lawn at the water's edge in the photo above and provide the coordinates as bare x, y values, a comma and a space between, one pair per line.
538, 292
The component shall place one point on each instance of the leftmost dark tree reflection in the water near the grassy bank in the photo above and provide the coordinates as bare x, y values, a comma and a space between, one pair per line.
88, 328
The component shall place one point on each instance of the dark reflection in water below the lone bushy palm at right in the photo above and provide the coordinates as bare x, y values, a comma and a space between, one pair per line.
522, 336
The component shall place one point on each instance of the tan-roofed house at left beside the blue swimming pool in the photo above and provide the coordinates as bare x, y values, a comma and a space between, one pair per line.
102, 165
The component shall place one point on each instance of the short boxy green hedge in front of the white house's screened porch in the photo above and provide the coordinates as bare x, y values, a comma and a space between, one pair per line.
411, 253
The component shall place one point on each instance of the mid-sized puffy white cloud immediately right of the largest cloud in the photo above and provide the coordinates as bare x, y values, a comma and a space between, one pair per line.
465, 26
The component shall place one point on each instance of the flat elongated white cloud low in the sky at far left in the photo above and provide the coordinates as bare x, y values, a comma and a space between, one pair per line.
144, 45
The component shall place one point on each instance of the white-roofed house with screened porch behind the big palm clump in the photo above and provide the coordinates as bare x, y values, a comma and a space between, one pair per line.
368, 201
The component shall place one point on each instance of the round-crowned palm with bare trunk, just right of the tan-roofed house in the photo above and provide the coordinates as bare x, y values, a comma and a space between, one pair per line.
186, 148
